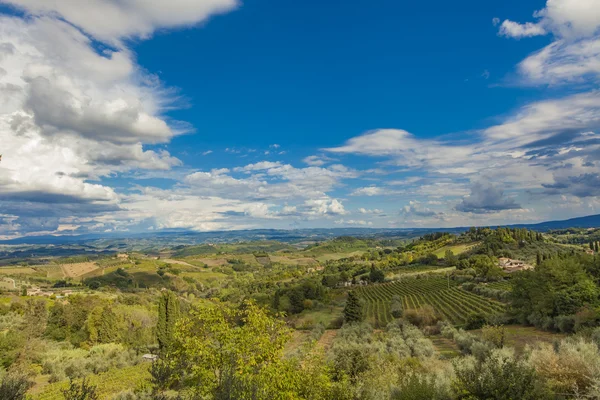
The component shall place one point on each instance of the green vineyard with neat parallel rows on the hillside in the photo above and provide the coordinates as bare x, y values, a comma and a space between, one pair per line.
448, 300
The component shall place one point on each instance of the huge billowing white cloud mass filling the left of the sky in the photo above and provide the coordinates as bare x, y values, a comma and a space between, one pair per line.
71, 114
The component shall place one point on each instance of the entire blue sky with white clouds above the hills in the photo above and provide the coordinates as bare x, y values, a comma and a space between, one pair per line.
140, 115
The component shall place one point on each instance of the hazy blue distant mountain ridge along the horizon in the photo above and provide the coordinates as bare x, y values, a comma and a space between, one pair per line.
185, 237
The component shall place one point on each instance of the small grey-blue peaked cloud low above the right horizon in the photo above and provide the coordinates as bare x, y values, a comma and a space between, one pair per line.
486, 198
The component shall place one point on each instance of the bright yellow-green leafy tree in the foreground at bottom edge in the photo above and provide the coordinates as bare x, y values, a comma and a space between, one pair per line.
228, 353
